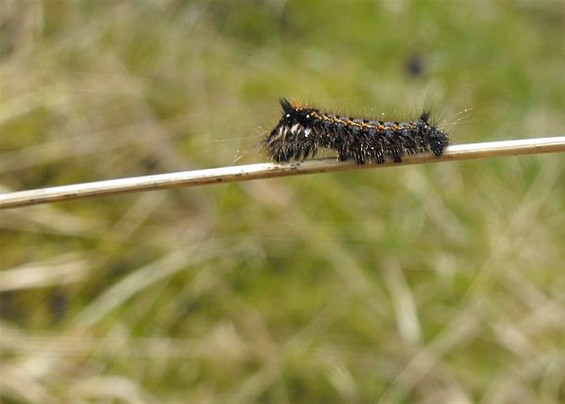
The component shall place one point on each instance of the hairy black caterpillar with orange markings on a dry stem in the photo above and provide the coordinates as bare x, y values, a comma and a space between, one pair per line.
302, 131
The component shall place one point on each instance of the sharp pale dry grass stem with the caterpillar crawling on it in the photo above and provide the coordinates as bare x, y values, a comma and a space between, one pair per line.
268, 170
